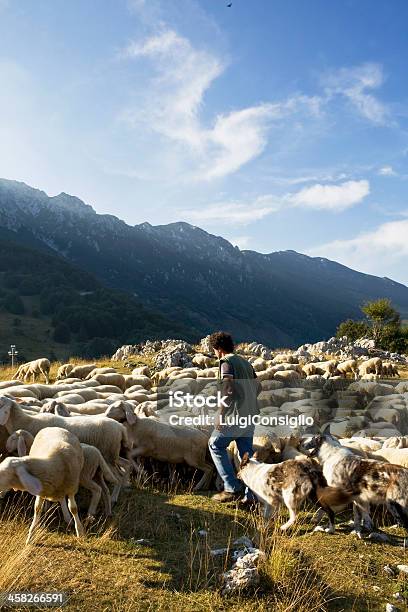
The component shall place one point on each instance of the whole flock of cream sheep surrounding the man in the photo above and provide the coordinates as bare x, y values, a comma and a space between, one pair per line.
94, 426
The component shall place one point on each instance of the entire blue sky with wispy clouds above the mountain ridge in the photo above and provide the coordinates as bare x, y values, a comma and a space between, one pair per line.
279, 124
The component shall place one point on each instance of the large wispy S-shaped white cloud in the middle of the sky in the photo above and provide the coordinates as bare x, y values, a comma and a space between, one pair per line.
174, 103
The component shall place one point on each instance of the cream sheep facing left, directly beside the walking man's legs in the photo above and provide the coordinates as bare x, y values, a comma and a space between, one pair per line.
170, 443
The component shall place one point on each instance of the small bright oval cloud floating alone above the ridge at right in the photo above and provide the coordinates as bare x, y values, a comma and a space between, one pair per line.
332, 197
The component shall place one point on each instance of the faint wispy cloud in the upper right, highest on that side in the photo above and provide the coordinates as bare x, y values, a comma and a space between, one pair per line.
355, 84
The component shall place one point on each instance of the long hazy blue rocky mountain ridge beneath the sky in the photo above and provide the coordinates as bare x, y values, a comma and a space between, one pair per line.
198, 279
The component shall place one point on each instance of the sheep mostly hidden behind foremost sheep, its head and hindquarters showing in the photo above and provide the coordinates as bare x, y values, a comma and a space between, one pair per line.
94, 468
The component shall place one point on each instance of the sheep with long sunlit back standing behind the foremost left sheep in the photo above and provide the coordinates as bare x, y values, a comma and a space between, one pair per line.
107, 435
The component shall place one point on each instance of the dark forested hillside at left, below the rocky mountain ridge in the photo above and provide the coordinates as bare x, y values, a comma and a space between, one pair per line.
50, 308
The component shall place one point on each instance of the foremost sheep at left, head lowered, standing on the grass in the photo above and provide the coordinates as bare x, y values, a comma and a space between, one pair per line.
51, 471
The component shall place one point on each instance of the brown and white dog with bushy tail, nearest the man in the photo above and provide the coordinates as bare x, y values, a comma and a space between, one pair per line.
291, 482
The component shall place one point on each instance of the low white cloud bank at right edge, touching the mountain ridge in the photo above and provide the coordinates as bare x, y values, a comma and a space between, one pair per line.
375, 252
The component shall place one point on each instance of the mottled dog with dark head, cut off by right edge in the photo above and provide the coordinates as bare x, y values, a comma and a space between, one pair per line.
370, 481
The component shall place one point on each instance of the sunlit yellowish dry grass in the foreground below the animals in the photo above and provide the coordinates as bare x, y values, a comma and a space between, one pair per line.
174, 569
